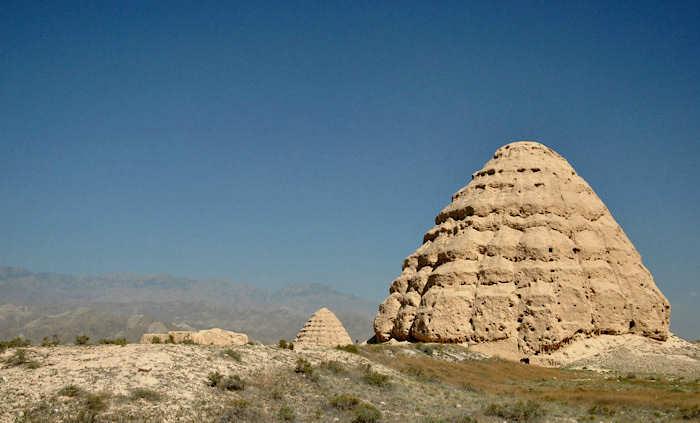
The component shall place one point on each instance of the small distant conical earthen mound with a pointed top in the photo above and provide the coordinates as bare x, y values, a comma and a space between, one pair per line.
323, 329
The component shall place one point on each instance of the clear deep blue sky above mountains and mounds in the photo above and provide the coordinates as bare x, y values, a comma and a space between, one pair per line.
316, 141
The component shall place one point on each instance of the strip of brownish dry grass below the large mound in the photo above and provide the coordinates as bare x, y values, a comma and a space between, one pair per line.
584, 388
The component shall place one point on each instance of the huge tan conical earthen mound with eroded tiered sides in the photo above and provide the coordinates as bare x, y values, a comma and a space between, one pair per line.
525, 254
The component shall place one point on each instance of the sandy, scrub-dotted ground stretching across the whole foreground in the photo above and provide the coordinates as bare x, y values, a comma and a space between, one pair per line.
636, 380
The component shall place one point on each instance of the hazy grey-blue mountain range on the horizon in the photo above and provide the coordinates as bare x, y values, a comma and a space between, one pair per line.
36, 305
